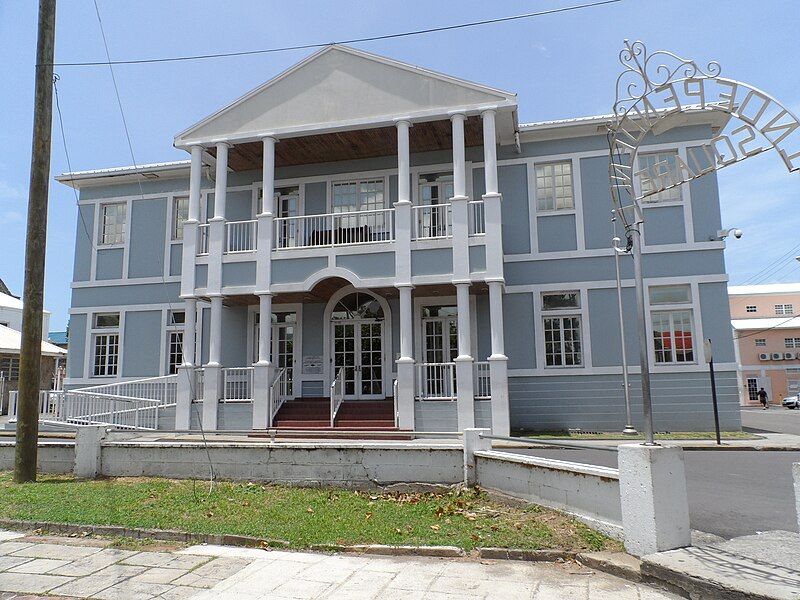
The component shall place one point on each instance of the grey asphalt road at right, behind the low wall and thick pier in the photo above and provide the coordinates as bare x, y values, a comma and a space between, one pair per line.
731, 493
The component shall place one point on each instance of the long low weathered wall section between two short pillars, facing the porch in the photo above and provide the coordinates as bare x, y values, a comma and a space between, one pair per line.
351, 464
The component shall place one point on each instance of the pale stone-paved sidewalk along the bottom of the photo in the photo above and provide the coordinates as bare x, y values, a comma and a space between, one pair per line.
84, 568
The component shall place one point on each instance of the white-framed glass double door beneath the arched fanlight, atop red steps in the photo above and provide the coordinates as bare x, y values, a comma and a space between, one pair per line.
358, 351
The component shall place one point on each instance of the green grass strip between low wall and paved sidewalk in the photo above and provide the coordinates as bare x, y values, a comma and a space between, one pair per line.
300, 516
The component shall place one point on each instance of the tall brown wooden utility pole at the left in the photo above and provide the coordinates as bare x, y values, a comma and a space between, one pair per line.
35, 242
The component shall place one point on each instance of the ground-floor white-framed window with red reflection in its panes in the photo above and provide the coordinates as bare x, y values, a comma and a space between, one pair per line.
672, 324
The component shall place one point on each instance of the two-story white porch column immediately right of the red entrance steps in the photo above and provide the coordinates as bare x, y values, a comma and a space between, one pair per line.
405, 364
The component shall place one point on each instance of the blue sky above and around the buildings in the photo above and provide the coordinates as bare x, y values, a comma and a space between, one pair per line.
561, 66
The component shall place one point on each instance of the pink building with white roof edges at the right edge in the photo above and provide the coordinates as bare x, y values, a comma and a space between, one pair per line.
766, 334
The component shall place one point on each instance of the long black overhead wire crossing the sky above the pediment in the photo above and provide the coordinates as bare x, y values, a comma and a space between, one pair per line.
388, 36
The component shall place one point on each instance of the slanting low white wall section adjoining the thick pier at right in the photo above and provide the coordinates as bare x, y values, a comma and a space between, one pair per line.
589, 492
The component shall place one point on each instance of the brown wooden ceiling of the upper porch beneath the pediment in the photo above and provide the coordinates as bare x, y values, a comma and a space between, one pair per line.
350, 145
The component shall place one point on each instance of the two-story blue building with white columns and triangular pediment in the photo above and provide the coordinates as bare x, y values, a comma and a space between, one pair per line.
422, 258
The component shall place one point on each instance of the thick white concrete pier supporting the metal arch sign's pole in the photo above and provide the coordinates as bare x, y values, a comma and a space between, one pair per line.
655, 507
